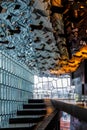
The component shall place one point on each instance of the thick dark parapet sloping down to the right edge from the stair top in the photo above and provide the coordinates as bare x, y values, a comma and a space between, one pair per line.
72, 109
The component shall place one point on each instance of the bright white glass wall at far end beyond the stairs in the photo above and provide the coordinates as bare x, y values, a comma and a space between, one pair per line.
53, 87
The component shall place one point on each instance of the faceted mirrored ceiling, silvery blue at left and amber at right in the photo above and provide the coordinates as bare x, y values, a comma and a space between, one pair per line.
49, 36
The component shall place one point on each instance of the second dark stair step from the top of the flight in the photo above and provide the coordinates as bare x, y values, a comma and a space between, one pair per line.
34, 105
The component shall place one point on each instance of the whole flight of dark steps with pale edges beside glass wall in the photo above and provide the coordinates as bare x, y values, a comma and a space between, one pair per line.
28, 118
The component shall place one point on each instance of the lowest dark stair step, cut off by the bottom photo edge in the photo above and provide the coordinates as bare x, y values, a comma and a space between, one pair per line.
19, 128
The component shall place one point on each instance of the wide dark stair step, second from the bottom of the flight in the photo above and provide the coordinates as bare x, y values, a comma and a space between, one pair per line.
28, 119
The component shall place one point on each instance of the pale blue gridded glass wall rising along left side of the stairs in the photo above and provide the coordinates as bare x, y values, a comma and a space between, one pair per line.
16, 87
